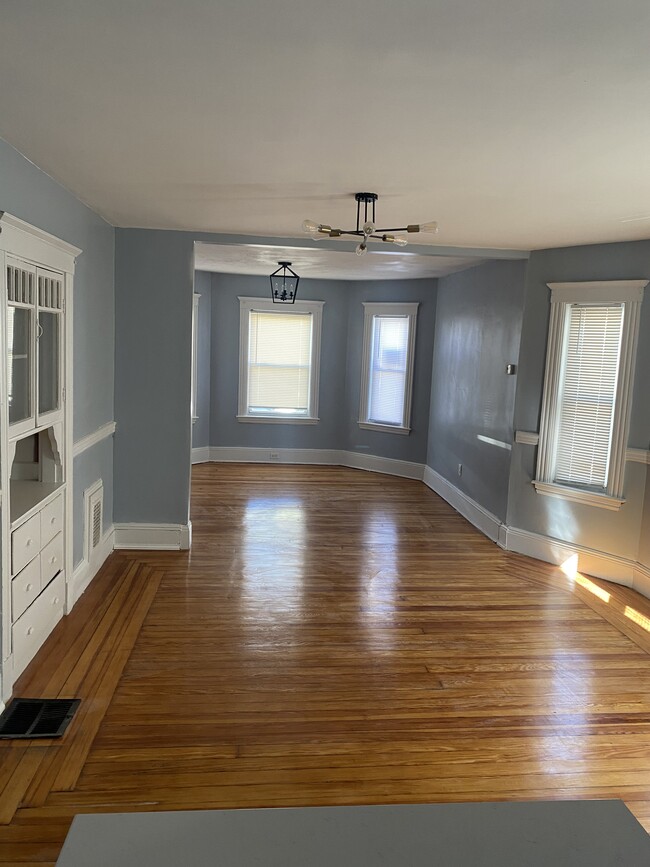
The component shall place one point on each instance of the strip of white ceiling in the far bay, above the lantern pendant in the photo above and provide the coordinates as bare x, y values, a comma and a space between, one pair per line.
324, 264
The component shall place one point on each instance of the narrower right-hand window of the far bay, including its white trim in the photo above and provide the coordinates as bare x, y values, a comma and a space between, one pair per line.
387, 367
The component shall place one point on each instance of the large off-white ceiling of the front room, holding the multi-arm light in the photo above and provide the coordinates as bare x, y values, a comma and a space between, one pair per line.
514, 123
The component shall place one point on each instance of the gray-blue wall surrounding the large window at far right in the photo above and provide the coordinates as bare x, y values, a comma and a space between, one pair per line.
617, 533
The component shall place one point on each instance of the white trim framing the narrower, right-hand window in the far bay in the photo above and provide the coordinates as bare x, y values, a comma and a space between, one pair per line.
371, 309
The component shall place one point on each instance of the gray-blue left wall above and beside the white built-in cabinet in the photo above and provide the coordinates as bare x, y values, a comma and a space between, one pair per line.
30, 194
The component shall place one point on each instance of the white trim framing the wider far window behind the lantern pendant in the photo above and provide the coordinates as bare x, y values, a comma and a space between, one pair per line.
246, 305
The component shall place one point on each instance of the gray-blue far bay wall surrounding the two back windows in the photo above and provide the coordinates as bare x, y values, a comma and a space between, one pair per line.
340, 372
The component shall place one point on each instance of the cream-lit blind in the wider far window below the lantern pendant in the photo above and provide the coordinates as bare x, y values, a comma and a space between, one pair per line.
279, 363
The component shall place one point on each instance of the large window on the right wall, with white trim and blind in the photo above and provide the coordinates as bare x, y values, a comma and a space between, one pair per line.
587, 390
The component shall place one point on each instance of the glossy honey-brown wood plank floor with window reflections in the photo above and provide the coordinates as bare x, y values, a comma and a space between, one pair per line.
335, 637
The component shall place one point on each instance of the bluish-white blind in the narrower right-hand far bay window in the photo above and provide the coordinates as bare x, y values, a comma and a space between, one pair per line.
388, 369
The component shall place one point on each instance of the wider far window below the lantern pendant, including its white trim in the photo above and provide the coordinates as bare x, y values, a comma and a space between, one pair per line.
279, 361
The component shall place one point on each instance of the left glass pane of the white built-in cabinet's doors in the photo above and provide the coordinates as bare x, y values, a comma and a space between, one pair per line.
20, 360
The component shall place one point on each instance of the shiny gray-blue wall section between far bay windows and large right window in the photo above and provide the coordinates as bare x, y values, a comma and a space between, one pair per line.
478, 325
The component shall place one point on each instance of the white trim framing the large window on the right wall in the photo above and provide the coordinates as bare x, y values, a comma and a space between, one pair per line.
629, 293
